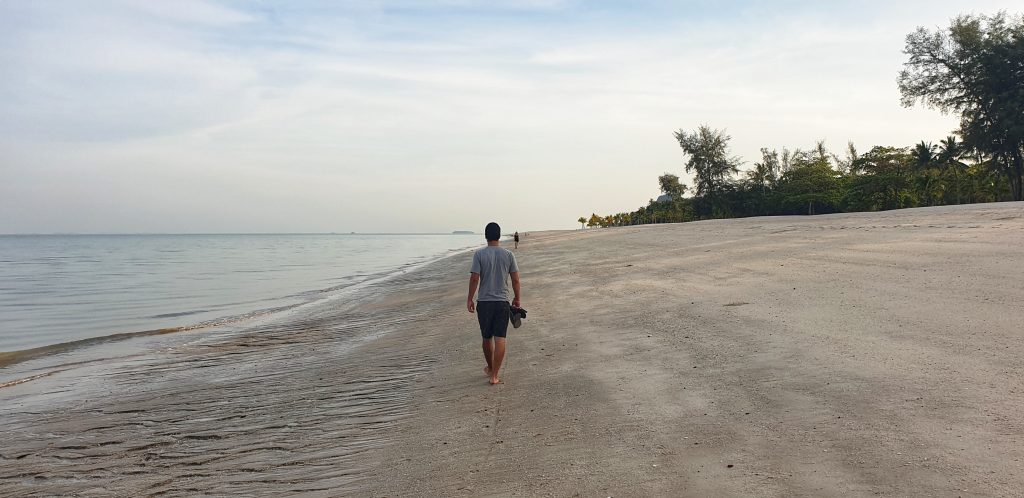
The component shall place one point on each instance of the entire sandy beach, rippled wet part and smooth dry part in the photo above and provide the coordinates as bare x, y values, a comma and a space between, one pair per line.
851, 355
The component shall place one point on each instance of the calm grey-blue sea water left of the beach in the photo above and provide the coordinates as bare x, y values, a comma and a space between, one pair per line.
57, 289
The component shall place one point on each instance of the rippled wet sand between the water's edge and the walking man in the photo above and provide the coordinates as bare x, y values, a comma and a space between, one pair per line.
289, 408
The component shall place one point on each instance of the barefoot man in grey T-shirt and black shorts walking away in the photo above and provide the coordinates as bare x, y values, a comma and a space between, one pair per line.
491, 266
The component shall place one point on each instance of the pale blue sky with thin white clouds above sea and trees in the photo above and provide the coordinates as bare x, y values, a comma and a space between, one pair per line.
205, 116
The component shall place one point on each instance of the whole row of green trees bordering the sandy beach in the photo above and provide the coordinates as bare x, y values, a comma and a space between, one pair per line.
974, 69
